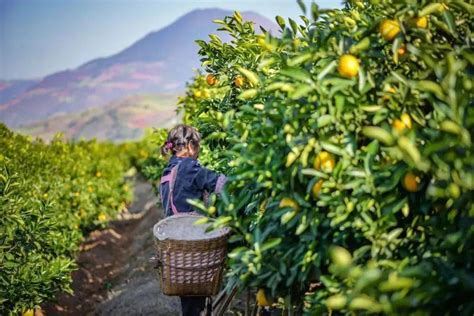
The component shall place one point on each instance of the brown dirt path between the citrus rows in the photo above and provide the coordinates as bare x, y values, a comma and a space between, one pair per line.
115, 276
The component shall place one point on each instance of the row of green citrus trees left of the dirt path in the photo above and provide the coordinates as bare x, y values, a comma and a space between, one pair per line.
50, 196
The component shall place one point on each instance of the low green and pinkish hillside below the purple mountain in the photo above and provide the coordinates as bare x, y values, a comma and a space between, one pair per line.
118, 121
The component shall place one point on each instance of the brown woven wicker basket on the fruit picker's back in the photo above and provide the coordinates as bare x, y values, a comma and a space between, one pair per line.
189, 265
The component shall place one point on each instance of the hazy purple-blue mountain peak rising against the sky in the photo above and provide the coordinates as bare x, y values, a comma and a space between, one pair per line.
160, 62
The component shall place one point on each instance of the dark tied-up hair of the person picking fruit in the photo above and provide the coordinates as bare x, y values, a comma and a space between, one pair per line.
179, 137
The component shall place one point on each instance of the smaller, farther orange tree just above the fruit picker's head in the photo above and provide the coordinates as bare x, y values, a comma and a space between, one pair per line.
211, 101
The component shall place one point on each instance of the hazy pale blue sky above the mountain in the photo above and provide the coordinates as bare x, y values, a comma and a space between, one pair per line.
39, 37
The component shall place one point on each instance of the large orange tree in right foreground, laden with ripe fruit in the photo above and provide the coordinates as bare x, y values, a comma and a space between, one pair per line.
349, 153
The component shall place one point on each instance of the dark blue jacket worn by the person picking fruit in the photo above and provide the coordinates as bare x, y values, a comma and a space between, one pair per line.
192, 180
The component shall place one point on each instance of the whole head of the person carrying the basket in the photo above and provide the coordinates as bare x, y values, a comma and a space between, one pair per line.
183, 141
